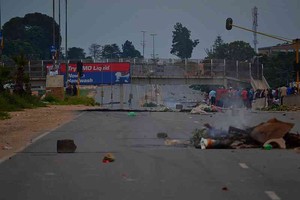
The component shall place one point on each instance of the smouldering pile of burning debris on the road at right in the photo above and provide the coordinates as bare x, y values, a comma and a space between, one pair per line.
273, 133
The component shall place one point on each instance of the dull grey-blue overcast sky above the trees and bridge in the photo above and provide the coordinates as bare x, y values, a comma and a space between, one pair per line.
115, 21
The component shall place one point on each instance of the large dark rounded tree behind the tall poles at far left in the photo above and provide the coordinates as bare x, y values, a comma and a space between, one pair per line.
35, 31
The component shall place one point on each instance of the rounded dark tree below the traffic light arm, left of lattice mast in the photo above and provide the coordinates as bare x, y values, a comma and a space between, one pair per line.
240, 50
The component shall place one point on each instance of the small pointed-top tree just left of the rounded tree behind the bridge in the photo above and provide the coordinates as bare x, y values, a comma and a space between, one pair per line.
219, 49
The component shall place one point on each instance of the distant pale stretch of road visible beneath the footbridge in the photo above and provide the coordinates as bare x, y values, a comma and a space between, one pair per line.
167, 95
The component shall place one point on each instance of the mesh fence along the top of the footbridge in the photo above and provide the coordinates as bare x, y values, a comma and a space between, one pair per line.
192, 68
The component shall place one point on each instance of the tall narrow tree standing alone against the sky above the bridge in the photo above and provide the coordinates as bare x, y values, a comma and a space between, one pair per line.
182, 45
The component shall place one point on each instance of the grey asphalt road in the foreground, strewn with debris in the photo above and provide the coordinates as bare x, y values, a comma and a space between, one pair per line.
145, 168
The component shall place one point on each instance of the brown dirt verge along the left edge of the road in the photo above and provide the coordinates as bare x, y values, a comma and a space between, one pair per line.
24, 126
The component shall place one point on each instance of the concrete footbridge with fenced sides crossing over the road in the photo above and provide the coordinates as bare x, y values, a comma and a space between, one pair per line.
177, 72
